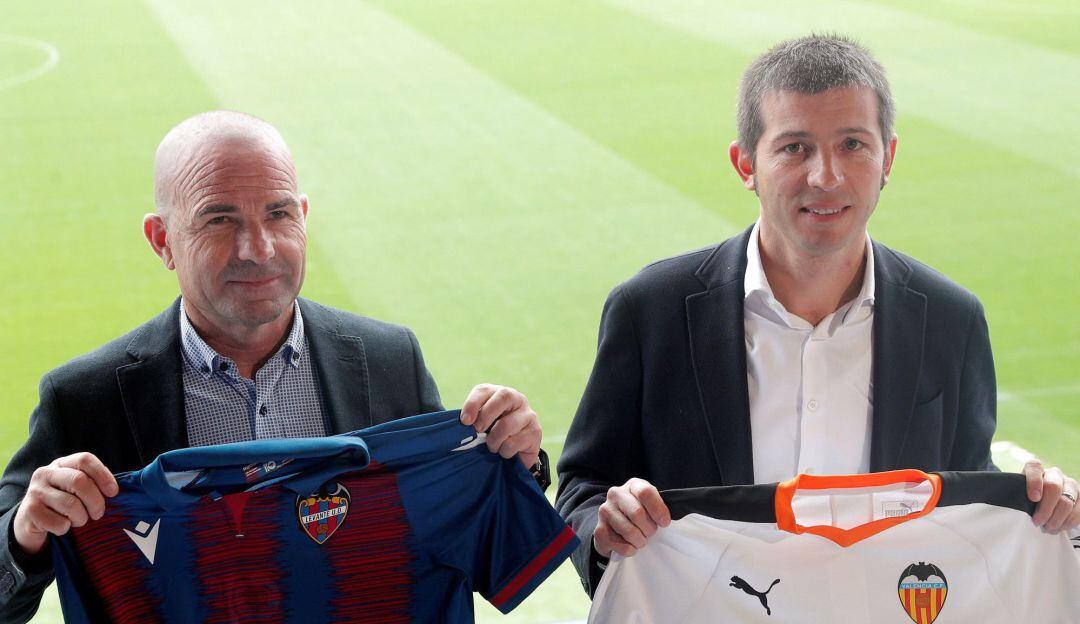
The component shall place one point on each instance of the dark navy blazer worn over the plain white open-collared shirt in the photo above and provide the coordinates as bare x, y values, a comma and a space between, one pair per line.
668, 401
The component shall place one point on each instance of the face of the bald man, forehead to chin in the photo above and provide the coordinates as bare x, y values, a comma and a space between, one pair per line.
237, 235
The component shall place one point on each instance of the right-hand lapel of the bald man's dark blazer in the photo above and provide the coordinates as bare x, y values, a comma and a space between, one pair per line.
341, 370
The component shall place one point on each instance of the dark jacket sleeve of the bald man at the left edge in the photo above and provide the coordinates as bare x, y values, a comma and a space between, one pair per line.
23, 578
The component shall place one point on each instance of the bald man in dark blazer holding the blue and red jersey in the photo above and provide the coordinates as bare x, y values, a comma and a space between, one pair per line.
238, 357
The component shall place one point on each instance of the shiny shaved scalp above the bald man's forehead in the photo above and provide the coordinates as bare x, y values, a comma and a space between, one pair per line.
210, 137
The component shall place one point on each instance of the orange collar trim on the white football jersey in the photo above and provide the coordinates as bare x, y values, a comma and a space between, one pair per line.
787, 491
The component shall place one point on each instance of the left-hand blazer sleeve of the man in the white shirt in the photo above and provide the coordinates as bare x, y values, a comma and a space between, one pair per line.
604, 444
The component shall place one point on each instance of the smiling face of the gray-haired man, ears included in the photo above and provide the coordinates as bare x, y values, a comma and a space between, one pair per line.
819, 170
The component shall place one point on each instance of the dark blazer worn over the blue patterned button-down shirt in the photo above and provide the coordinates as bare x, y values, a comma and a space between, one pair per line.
125, 403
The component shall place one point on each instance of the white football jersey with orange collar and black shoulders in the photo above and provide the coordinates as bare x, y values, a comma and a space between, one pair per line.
887, 548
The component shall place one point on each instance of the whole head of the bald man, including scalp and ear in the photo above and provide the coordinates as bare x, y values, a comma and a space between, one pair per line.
233, 226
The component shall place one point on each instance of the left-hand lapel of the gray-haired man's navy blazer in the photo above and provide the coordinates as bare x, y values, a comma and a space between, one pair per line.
719, 351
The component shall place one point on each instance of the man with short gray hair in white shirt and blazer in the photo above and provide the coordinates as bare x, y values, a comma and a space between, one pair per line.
800, 346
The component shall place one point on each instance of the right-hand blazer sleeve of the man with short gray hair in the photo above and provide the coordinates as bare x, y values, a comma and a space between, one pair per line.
977, 413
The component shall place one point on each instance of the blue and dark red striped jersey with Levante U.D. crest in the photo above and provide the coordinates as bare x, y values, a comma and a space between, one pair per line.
397, 523
